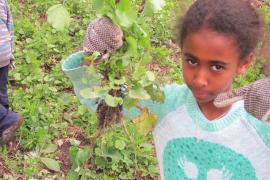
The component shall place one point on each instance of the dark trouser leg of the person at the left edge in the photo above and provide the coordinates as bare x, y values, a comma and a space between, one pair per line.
7, 117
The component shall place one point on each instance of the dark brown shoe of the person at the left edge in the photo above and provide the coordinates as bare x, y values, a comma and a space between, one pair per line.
10, 132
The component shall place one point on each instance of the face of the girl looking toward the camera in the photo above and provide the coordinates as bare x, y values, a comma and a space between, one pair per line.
210, 62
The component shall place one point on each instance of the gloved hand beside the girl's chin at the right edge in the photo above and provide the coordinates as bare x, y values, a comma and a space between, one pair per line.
255, 95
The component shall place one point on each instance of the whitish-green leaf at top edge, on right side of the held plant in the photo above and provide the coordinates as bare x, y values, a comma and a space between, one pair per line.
153, 6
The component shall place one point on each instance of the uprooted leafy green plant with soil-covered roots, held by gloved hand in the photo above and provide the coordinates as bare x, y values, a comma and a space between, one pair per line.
128, 65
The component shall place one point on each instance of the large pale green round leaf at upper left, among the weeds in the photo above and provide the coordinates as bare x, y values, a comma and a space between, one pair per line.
58, 17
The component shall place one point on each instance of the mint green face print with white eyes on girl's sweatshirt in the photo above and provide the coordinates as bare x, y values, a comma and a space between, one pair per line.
187, 158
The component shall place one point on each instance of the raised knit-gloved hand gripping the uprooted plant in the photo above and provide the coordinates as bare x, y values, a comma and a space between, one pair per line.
102, 36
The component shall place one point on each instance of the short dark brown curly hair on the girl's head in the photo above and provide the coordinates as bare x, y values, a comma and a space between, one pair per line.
236, 18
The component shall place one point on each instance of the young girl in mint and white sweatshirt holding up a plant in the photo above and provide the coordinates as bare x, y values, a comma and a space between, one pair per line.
193, 138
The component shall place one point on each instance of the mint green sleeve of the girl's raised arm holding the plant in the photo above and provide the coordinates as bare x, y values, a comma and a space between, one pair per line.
174, 94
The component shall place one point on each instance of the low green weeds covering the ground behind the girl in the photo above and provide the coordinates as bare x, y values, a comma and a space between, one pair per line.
56, 139
